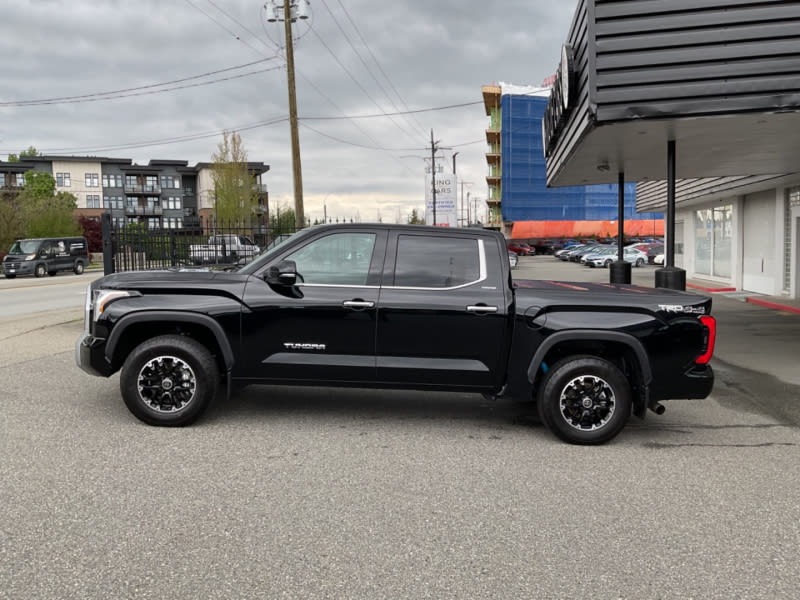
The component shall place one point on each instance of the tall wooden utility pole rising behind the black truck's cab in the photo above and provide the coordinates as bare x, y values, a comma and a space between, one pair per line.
292, 10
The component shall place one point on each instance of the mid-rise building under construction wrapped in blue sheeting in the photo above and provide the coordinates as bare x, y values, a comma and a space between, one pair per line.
517, 169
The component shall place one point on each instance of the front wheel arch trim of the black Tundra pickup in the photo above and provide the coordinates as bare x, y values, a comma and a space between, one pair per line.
135, 328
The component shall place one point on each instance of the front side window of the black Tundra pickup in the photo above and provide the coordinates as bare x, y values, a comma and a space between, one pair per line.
337, 259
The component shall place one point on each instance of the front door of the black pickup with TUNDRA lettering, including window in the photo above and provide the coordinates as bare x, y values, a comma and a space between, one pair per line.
323, 328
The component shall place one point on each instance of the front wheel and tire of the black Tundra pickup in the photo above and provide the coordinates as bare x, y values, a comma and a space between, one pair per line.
148, 381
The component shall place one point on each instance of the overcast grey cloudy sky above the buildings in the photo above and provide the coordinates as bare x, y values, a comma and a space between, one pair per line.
162, 79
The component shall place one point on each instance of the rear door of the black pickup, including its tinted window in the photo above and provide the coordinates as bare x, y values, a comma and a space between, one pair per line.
443, 312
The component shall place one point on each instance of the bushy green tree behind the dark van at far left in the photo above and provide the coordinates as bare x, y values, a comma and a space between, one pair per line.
44, 212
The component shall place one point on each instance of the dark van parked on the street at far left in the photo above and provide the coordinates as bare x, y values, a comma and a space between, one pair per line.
38, 256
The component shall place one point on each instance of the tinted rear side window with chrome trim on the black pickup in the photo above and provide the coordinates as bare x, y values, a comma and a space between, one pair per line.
436, 262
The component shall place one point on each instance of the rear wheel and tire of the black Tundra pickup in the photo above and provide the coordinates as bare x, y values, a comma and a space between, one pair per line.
603, 408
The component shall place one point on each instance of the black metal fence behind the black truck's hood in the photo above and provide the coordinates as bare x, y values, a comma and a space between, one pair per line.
209, 243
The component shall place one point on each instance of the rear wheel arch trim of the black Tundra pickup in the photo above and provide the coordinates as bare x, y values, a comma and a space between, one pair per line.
623, 349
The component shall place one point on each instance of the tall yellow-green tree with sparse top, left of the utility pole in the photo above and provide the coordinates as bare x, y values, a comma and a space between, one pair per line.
234, 185
